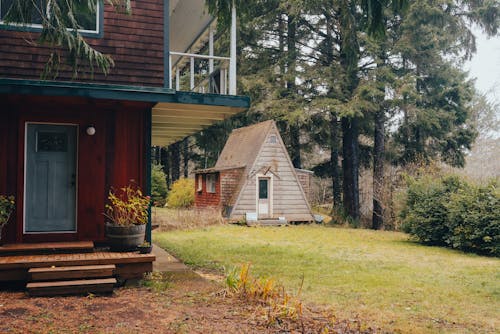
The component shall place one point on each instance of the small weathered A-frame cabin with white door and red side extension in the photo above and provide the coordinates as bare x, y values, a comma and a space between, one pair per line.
254, 177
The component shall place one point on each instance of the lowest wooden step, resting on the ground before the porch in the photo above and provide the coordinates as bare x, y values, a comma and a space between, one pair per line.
56, 288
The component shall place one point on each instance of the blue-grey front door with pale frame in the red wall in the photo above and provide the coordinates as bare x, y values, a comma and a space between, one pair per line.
50, 183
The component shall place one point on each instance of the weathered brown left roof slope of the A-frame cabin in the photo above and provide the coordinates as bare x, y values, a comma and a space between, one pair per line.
243, 145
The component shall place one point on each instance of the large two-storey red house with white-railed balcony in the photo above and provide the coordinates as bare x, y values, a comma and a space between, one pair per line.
65, 143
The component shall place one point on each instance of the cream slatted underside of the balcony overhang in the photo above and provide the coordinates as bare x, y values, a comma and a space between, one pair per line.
172, 122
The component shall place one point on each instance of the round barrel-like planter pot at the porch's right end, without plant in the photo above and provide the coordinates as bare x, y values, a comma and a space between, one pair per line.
125, 238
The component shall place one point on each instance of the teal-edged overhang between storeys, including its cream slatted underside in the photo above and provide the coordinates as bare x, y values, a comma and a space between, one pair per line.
175, 115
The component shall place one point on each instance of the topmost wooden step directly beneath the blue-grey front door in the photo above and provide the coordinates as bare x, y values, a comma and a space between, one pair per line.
47, 248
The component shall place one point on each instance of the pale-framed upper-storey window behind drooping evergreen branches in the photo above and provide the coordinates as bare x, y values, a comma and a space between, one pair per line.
89, 18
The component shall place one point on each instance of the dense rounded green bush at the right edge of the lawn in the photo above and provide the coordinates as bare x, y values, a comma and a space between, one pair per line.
451, 212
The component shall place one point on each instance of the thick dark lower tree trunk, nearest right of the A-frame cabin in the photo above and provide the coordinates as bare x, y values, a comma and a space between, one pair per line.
350, 166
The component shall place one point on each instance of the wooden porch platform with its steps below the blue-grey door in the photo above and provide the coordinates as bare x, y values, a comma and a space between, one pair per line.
70, 268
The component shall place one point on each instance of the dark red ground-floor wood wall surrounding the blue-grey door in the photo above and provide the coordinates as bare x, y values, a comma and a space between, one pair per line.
112, 157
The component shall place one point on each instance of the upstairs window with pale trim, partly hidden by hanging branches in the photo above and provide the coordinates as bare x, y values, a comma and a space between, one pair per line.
90, 21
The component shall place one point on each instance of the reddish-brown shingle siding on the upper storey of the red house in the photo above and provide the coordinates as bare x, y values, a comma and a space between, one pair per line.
135, 42
